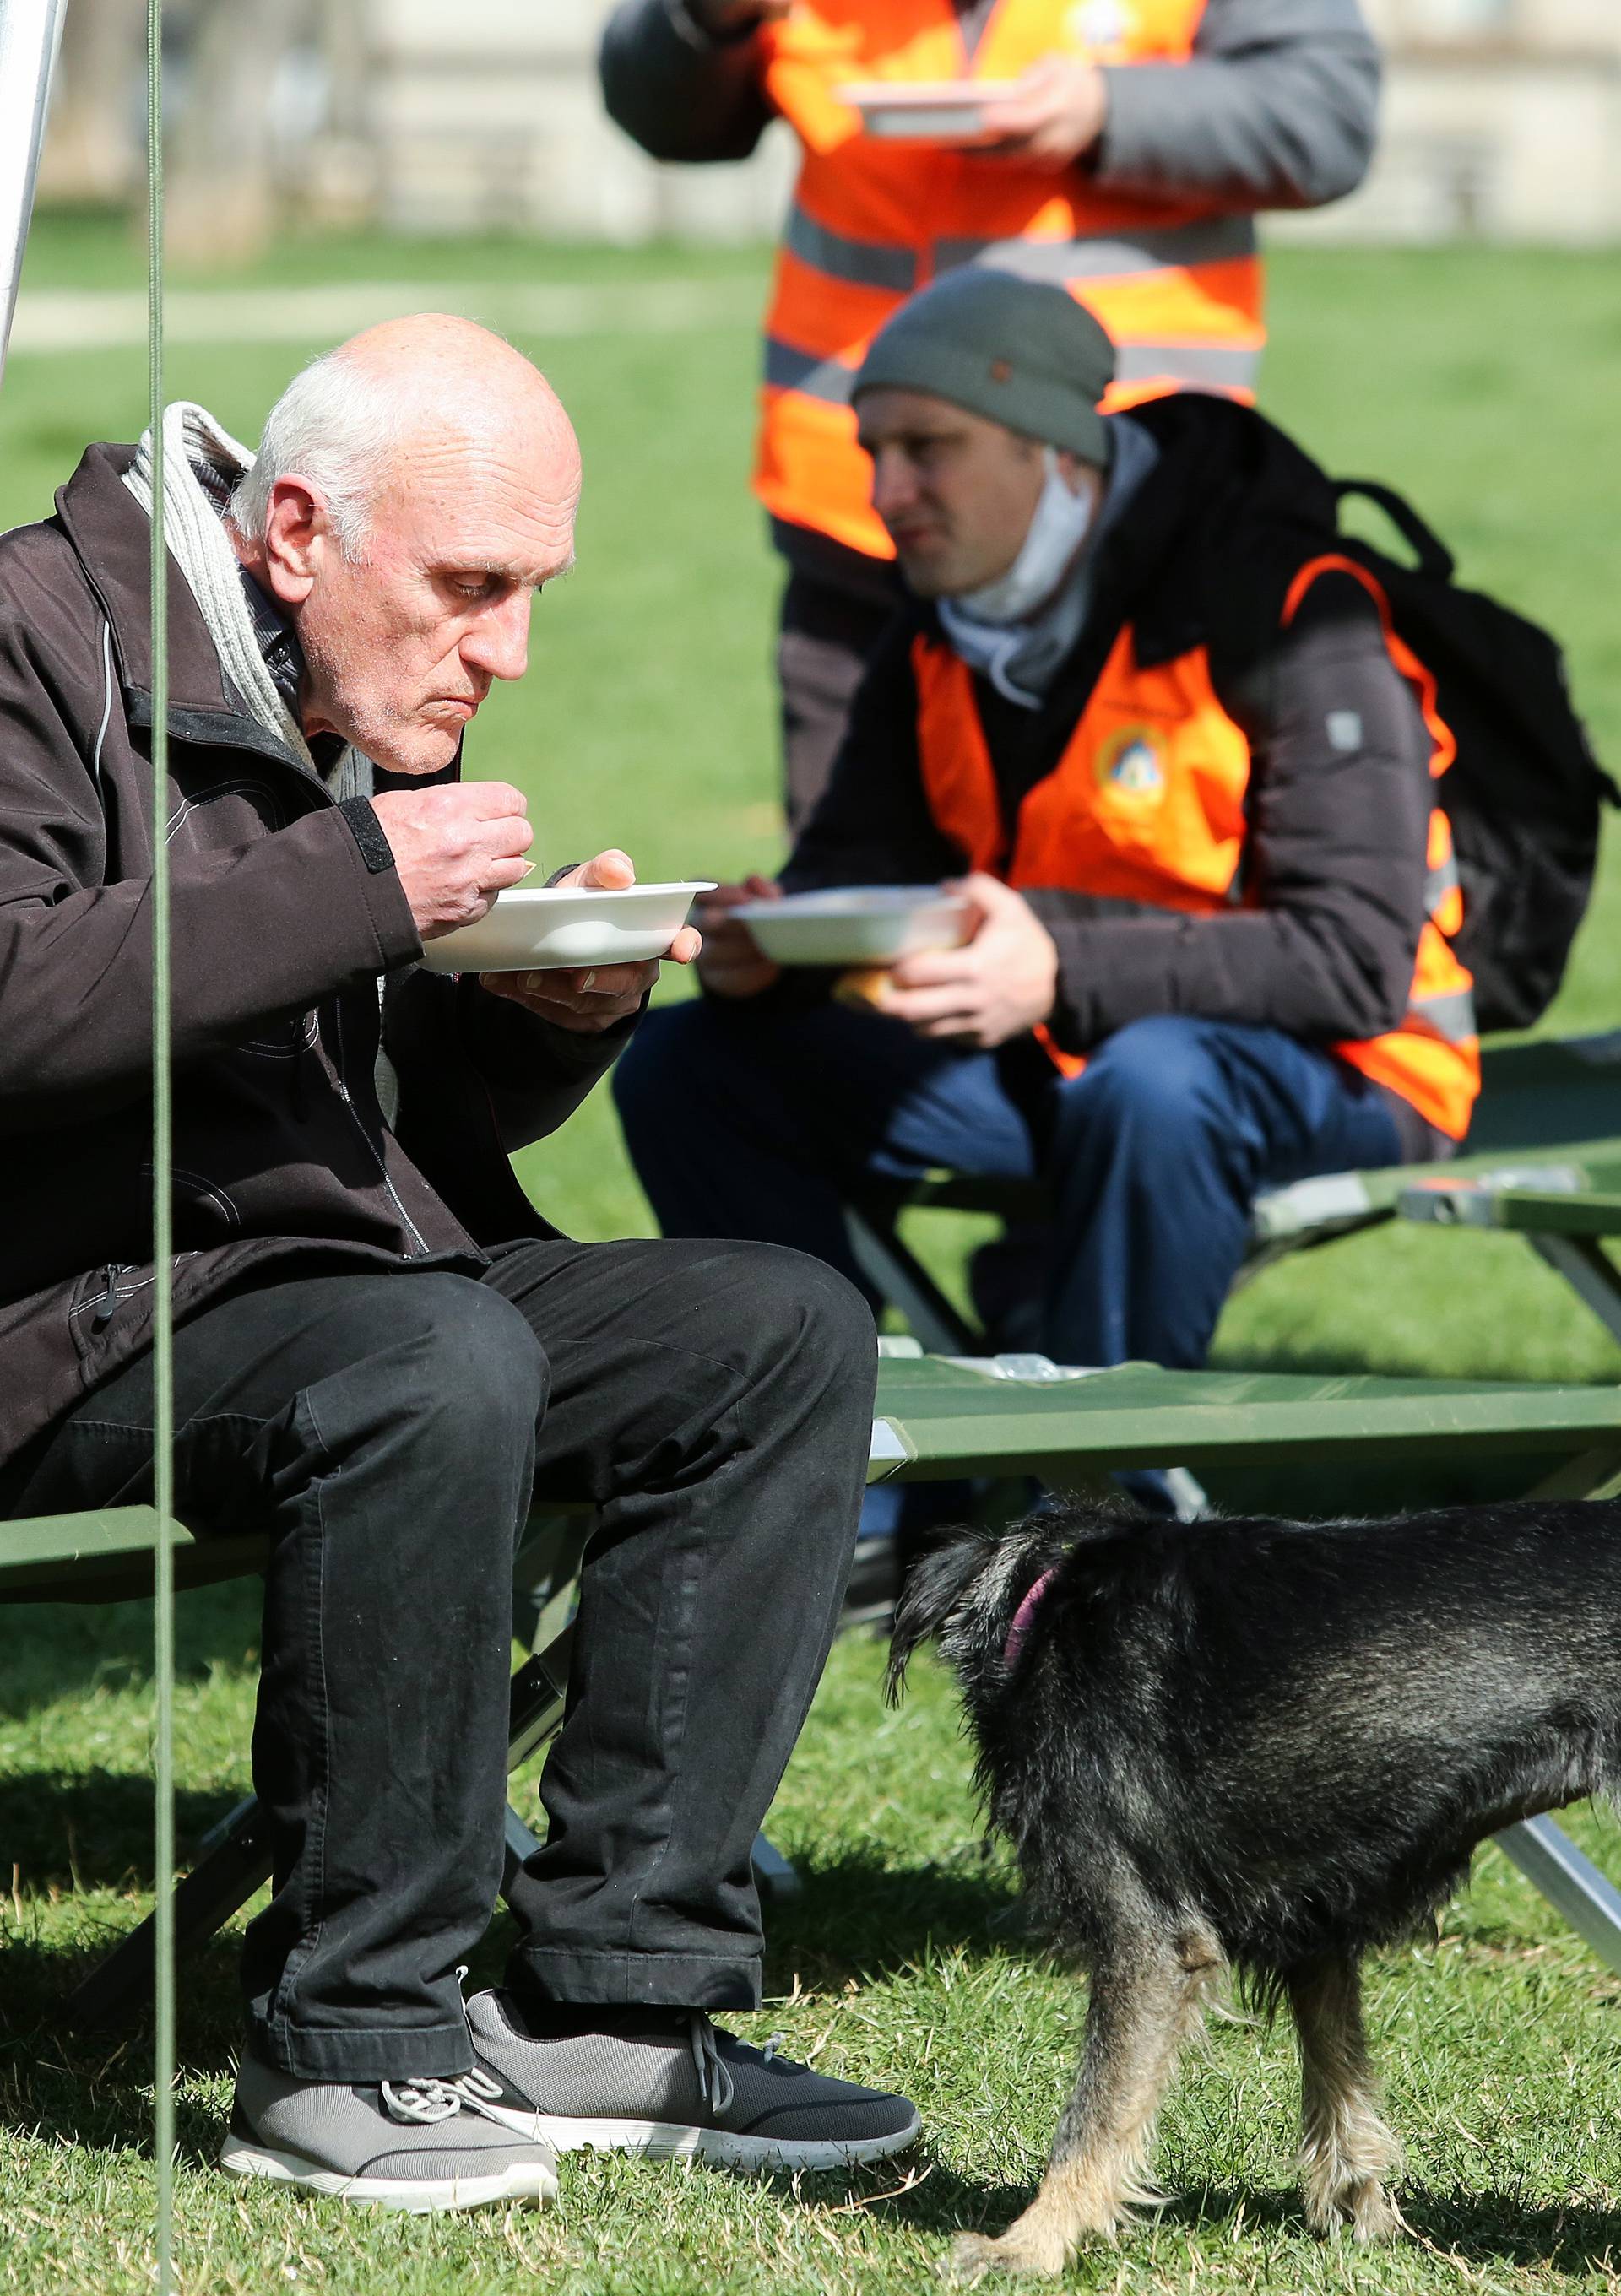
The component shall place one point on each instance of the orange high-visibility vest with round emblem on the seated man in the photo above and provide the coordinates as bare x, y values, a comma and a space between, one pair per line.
1149, 805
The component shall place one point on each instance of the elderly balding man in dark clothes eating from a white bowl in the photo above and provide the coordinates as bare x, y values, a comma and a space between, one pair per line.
382, 1349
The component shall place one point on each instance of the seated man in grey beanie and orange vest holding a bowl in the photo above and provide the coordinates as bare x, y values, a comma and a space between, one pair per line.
1156, 727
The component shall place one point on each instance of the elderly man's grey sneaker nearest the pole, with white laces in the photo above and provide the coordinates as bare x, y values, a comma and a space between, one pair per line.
412, 2146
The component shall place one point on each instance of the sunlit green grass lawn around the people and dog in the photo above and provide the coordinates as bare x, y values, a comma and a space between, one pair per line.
1480, 382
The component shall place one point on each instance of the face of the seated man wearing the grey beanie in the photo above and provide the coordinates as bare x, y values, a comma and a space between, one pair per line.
954, 490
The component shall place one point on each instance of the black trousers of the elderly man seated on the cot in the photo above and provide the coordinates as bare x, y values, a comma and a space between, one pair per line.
715, 1404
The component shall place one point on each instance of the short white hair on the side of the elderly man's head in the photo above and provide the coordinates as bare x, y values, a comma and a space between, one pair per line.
336, 426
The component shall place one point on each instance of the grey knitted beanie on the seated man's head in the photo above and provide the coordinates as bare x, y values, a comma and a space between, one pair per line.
1016, 350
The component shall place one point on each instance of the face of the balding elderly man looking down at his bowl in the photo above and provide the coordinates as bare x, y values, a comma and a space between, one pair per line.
403, 644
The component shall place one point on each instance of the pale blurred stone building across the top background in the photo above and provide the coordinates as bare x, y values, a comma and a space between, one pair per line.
1503, 121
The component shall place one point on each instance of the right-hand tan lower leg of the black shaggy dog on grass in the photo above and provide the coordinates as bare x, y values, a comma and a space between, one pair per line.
1344, 2146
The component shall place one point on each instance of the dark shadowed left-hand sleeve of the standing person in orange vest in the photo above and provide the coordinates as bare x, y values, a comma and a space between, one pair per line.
676, 91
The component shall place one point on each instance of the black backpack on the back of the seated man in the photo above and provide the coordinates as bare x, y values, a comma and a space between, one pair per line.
1523, 791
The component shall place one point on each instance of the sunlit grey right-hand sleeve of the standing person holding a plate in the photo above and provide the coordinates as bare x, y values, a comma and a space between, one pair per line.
1275, 109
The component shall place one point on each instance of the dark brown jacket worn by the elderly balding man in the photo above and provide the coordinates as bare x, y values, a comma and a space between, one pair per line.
281, 929
